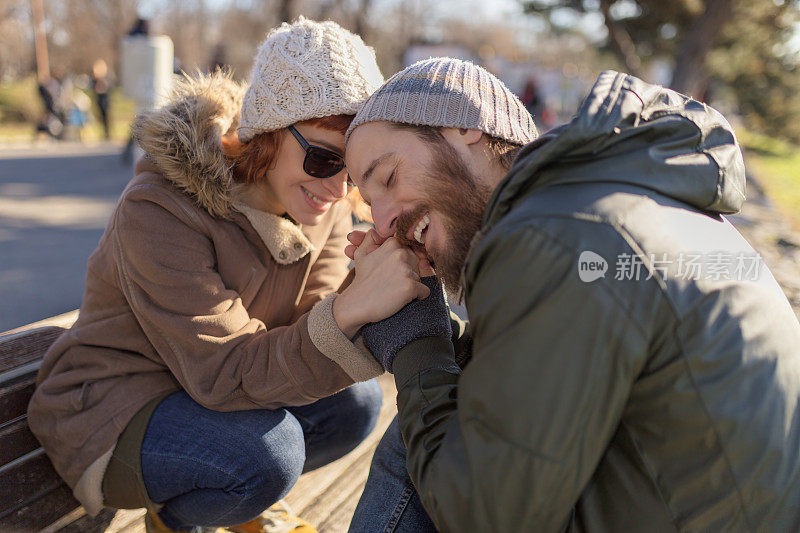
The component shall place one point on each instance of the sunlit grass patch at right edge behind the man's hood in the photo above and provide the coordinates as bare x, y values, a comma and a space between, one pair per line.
777, 165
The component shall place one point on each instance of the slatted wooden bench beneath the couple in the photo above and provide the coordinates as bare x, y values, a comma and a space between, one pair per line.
34, 498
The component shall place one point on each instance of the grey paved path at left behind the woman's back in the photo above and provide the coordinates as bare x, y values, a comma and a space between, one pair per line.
55, 201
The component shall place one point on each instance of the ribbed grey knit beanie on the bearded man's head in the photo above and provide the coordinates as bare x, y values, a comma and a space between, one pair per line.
449, 93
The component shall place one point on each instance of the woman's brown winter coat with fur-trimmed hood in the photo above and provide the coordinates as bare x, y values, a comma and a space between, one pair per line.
189, 289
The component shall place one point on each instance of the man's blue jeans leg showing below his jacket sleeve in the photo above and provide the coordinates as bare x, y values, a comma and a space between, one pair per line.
390, 503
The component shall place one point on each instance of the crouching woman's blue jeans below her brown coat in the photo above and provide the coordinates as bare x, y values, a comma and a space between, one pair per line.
211, 468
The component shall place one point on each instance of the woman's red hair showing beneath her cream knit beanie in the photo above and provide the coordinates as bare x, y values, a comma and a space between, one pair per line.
253, 160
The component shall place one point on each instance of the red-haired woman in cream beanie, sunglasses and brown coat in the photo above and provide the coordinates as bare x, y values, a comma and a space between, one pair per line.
211, 363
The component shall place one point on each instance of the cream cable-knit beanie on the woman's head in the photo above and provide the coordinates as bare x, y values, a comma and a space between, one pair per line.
307, 70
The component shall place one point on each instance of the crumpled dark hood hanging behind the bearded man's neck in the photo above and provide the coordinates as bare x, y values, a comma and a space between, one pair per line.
632, 132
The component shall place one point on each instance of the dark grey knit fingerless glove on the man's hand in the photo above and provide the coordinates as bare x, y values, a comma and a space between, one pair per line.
419, 319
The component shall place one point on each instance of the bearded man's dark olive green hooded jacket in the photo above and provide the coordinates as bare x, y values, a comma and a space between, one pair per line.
615, 385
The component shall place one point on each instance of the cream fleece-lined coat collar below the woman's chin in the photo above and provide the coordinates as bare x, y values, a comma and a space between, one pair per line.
285, 241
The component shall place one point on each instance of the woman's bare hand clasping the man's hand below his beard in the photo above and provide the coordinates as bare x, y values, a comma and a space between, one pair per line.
387, 278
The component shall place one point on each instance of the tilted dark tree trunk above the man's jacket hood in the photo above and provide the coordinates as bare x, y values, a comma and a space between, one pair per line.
689, 76
